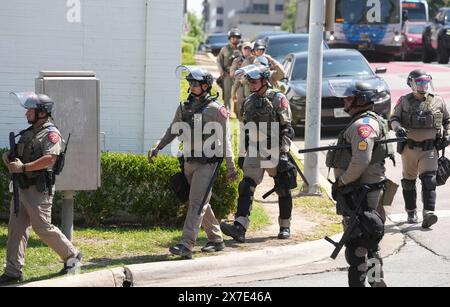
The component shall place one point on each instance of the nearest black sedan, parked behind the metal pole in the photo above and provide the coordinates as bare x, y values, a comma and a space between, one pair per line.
342, 68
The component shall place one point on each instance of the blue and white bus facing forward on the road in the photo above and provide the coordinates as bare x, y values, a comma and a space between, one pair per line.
370, 26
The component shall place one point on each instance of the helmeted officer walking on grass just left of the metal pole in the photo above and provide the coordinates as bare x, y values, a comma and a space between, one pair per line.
264, 106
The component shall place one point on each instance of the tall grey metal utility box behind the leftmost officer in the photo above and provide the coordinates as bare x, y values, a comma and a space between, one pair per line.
76, 112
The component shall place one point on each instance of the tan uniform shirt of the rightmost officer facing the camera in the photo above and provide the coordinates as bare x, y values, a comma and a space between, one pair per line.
419, 135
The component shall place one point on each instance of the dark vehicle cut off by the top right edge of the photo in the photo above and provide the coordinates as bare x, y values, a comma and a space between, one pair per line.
436, 38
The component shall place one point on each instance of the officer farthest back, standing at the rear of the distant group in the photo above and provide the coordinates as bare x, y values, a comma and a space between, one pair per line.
224, 61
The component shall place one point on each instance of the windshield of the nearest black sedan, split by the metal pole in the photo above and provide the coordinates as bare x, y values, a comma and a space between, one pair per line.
335, 67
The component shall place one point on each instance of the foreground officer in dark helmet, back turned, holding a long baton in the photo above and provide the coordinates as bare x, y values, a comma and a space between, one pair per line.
363, 164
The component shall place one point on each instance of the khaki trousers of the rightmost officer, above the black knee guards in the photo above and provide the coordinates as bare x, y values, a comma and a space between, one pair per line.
416, 162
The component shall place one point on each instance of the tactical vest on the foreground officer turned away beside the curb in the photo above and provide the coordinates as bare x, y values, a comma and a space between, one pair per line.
341, 158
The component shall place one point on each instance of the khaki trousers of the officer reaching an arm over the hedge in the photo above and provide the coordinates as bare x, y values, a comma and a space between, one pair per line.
199, 175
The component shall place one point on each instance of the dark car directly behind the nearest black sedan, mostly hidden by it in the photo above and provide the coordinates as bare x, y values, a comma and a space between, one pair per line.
280, 46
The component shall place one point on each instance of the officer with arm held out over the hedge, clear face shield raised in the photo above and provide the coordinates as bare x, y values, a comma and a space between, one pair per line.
200, 109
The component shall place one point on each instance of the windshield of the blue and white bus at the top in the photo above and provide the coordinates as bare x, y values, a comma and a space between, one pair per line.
368, 11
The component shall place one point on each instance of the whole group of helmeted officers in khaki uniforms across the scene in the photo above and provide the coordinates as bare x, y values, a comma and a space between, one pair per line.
249, 78
